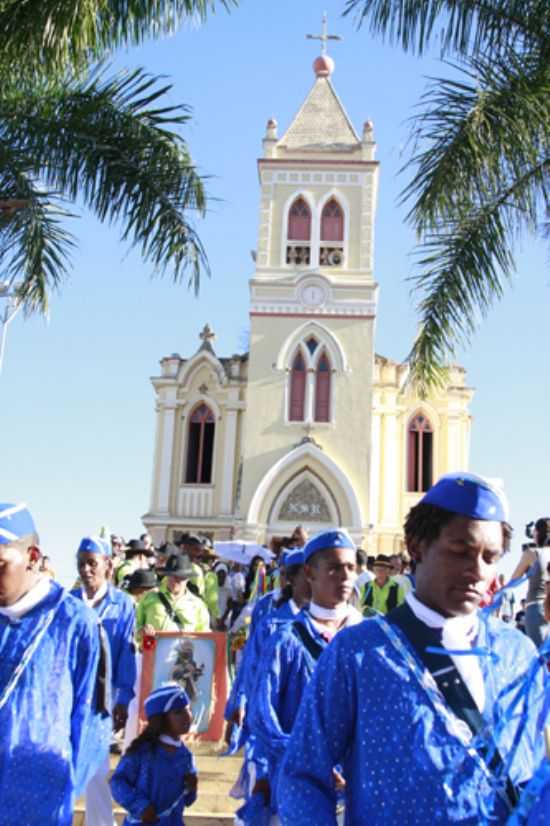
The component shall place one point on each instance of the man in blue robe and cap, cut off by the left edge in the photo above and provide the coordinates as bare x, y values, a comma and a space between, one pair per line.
54, 722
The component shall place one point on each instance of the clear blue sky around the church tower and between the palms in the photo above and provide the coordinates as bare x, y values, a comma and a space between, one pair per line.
77, 405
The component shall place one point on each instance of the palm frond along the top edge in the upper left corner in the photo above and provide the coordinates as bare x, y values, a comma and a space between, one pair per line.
43, 36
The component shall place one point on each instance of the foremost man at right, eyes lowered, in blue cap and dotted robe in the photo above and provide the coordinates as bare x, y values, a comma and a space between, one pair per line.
421, 707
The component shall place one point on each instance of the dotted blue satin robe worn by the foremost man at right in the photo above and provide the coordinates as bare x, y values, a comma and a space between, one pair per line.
365, 709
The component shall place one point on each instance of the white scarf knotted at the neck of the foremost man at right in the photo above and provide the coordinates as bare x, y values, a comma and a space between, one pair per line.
458, 633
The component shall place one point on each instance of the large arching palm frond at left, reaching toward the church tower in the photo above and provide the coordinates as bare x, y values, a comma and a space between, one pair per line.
111, 142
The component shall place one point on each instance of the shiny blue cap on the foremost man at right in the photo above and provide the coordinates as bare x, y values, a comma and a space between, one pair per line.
468, 495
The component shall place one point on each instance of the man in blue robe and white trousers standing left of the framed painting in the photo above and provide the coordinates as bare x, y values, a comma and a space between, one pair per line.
116, 613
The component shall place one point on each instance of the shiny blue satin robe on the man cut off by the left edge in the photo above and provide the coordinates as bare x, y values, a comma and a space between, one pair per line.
53, 737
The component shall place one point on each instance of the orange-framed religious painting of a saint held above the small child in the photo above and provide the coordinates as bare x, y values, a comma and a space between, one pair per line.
198, 662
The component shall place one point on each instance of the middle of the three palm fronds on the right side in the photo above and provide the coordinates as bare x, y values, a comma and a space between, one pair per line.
477, 134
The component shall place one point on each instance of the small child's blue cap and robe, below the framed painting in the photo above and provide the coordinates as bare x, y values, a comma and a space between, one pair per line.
153, 775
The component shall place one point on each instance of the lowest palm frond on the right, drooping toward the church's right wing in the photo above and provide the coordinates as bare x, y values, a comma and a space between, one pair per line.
463, 266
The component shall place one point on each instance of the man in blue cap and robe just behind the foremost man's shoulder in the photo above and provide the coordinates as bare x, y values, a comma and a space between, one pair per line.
290, 656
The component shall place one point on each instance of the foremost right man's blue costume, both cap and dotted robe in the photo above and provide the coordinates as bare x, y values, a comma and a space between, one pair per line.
407, 757
